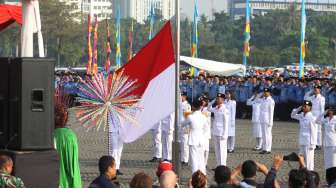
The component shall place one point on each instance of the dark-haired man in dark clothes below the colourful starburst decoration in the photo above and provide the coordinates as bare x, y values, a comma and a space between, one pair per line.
107, 169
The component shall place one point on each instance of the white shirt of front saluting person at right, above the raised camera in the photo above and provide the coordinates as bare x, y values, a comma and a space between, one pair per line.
308, 127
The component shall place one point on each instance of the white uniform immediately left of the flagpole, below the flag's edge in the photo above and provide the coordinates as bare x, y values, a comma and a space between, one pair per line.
167, 136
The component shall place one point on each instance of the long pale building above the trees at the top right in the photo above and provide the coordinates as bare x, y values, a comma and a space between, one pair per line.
261, 7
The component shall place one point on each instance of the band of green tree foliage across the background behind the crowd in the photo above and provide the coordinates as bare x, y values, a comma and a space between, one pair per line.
275, 37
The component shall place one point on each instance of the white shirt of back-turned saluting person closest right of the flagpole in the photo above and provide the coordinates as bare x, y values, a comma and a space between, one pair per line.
197, 123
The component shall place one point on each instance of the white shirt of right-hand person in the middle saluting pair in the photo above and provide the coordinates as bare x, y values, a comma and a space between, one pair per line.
267, 110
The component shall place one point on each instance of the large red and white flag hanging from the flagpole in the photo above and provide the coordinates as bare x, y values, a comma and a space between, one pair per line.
154, 69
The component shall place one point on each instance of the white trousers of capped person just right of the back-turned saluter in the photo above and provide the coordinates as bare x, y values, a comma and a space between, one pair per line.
220, 150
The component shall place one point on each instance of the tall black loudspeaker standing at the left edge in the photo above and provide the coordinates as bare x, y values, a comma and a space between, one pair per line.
30, 106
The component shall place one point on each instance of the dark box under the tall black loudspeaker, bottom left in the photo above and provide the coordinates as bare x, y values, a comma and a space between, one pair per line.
37, 169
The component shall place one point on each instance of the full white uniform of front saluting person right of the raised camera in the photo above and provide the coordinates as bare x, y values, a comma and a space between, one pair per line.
307, 137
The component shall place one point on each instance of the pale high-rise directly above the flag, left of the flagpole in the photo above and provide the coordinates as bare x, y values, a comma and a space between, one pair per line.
140, 9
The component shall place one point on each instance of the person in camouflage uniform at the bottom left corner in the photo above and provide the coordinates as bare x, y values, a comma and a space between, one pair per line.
6, 179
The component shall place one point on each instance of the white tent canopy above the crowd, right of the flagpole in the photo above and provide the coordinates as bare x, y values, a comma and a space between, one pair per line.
215, 67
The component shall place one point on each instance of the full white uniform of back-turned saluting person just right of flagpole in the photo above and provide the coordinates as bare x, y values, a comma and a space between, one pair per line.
197, 123
